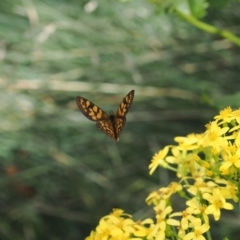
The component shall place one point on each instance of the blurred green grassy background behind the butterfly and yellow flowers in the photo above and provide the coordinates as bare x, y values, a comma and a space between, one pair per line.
59, 174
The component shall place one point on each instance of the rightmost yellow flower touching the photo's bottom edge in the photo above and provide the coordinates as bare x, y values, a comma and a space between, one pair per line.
198, 230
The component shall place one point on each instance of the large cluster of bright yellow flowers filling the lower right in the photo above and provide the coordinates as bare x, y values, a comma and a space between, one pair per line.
208, 166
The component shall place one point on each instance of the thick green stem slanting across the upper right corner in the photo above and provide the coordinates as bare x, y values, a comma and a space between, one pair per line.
209, 28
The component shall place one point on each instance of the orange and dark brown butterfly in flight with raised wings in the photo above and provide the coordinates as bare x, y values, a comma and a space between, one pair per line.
111, 124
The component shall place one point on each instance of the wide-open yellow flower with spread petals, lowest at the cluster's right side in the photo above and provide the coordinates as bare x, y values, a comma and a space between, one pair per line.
217, 202
